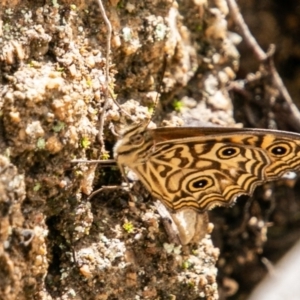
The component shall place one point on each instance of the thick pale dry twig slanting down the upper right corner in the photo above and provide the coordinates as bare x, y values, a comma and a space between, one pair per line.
266, 59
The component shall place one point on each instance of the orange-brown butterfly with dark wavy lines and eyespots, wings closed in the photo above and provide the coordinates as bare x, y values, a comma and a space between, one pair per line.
200, 168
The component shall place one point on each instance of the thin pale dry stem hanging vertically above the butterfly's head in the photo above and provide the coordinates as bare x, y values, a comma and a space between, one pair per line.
106, 90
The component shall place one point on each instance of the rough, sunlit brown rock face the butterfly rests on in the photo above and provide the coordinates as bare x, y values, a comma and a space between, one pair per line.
55, 242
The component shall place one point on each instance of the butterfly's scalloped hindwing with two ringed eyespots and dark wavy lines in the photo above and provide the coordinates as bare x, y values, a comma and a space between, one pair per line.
203, 174
